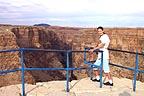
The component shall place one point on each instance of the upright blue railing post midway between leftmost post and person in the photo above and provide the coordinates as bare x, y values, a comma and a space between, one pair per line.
67, 71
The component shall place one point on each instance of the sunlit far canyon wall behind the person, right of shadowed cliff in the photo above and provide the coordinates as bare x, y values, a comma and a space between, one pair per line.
128, 39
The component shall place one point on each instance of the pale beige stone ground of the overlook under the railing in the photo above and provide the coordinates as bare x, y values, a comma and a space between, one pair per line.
83, 87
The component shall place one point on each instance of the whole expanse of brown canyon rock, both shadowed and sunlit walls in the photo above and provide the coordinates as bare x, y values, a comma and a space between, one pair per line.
65, 38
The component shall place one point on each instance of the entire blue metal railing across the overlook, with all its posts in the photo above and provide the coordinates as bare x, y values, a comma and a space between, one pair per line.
67, 69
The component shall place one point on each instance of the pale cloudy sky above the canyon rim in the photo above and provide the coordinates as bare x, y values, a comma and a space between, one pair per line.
73, 13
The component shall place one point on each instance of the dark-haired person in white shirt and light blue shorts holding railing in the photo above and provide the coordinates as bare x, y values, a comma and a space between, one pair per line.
103, 45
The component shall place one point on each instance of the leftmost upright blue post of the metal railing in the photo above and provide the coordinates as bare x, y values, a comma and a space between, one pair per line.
22, 70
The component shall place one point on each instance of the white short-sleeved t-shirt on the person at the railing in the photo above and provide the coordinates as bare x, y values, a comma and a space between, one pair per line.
104, 39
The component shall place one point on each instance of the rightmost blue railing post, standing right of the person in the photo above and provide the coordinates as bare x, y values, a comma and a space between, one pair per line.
135, 72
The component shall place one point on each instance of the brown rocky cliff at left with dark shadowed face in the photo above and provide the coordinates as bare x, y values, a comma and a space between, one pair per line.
31, 37
